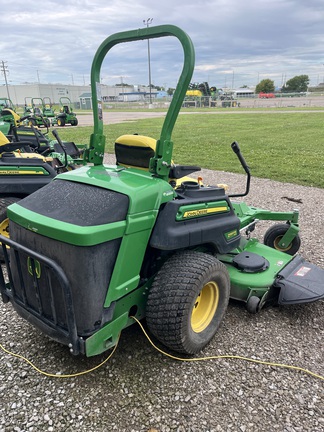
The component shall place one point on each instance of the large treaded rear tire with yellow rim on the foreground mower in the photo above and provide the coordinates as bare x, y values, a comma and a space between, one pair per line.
187, 301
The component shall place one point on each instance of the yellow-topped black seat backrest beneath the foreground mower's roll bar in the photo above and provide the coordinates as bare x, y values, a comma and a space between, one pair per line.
134, 151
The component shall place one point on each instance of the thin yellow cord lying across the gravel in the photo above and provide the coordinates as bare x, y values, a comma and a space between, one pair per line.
227, 356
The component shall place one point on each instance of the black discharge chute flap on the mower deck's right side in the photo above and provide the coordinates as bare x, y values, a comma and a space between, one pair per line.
300, 282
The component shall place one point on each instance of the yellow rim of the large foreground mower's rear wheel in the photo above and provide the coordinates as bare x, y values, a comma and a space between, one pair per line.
205, 307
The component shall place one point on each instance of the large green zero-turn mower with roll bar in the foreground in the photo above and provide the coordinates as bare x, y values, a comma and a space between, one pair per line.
102, 244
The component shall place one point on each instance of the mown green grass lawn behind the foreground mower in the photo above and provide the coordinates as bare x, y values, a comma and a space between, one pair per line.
286, 147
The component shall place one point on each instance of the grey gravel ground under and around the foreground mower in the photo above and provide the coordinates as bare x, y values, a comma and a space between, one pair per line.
139, 389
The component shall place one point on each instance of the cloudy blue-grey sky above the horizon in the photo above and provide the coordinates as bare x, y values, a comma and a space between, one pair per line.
236, 42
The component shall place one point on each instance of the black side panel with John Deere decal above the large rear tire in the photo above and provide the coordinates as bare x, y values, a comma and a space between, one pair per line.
200, 216
